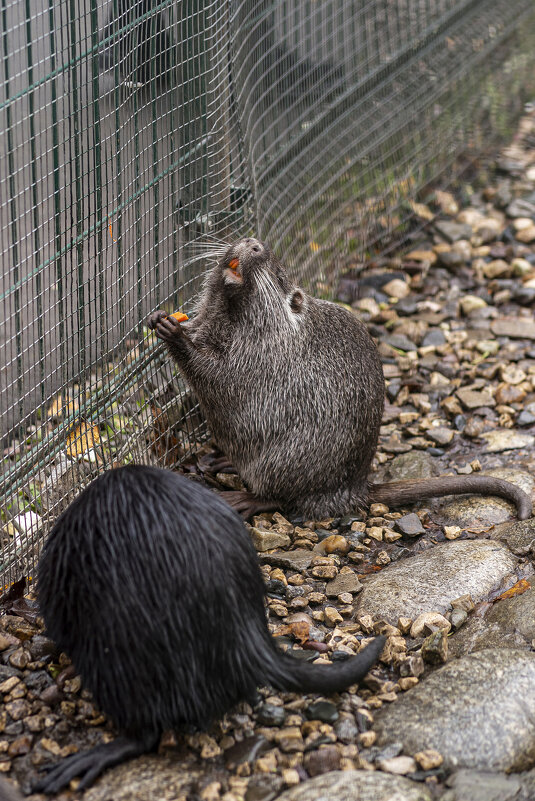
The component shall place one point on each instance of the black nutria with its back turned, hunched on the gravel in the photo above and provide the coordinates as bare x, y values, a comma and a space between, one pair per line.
150, 583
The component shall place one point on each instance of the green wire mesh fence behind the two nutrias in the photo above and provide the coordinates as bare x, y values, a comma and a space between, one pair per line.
136, 132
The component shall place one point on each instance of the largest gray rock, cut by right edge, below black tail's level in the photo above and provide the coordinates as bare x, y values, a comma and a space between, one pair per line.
478, 712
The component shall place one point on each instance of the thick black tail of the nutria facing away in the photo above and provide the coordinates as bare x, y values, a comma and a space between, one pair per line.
285, 672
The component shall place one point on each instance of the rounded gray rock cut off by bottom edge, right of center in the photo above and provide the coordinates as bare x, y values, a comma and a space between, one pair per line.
357, 785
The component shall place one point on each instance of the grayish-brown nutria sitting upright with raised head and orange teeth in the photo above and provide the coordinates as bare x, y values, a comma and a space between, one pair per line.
293, 391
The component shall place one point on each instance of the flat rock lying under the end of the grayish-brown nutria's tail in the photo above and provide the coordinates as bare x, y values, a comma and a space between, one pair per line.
476, 511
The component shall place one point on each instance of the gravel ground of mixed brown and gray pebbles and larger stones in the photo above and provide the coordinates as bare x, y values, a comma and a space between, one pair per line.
448, 712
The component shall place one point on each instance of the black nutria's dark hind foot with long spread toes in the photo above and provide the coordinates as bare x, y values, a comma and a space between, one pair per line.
90, 764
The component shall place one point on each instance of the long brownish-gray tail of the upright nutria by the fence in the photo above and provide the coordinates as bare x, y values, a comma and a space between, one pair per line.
399, 493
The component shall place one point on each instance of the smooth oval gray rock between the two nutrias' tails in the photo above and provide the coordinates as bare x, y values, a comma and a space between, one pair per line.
429, 581
